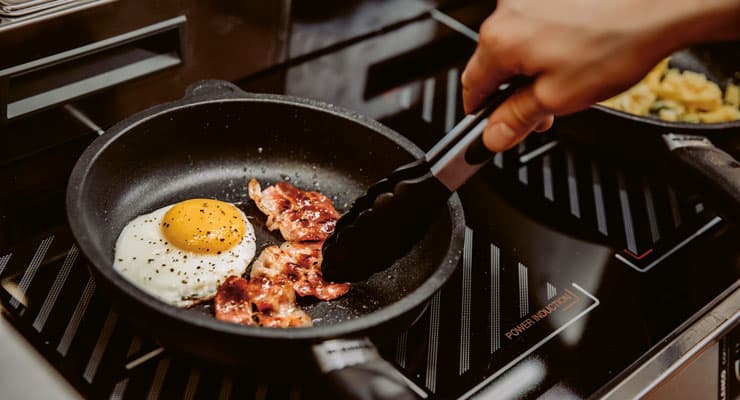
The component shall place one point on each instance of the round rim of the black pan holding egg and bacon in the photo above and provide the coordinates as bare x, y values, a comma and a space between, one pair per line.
103, 266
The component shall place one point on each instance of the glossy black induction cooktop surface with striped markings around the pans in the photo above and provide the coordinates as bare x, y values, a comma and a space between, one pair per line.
575, 269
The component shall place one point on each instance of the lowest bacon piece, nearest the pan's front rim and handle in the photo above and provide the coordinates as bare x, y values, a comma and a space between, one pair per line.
259, 301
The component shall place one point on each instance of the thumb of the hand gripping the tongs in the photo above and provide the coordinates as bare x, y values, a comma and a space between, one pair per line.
513, 120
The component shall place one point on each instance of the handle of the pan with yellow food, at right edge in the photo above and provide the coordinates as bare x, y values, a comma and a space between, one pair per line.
716, 172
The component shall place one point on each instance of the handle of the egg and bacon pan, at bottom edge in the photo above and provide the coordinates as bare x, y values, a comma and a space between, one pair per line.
358, 372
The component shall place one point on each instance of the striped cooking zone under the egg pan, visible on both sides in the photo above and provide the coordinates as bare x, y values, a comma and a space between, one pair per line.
74, 327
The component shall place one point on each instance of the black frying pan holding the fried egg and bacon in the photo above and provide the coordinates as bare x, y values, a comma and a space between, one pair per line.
209, 144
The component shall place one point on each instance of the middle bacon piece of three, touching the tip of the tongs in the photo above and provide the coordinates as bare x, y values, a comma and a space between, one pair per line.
299, 263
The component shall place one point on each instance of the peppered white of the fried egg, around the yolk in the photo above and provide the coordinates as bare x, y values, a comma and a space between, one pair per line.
176, 276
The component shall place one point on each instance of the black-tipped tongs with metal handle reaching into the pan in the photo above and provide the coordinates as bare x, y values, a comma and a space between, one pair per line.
395, 213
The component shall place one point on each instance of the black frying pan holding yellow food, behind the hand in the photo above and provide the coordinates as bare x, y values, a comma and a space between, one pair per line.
697, 154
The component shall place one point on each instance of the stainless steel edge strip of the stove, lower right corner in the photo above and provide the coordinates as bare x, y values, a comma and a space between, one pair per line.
681, 350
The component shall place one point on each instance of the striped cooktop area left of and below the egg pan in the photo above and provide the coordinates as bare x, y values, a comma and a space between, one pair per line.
73, 326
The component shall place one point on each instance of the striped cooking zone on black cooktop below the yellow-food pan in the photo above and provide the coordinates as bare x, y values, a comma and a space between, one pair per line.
636, 212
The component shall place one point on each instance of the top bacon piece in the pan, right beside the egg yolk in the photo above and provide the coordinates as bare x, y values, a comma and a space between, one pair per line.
299, 215
